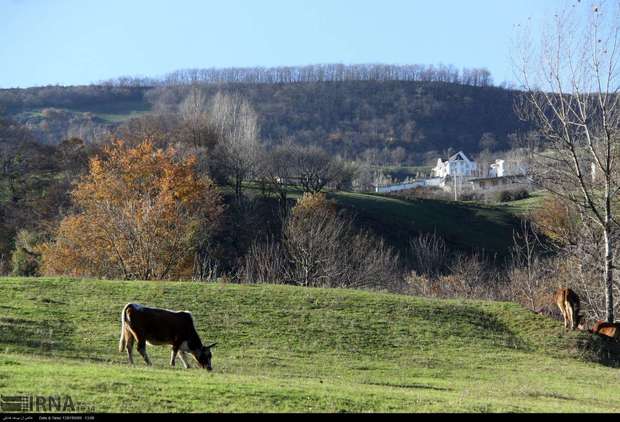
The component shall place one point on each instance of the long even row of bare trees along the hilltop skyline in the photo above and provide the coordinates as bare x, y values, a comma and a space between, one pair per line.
479, 77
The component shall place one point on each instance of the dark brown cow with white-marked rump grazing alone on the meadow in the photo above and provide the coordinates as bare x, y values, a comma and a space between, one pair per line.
159, 327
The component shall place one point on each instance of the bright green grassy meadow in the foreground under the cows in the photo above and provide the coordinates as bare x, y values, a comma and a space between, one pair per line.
293, 349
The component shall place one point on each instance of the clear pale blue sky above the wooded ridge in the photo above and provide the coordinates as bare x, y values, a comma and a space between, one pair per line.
72, 42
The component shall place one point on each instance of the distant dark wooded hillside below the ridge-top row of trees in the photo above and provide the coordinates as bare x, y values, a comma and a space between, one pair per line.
347, 117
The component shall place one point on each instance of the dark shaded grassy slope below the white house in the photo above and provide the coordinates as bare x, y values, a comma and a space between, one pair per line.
464, 226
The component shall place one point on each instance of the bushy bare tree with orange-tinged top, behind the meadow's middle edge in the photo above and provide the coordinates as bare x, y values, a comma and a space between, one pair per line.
320, 248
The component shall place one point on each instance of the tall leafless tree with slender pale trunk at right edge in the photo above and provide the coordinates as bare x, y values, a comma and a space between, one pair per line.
572, 96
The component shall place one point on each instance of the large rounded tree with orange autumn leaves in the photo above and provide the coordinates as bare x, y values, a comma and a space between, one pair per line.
141, 212
